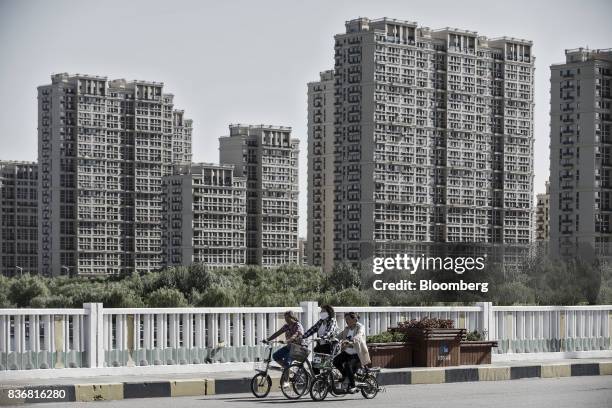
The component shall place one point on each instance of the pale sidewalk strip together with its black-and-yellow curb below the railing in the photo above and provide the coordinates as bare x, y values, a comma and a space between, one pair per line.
117, 387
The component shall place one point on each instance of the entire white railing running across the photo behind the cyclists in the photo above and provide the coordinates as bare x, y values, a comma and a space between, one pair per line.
95, 336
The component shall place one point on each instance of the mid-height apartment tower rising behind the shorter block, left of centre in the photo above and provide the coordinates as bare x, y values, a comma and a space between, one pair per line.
267, 156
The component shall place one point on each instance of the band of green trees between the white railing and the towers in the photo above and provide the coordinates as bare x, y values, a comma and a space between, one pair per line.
537, 280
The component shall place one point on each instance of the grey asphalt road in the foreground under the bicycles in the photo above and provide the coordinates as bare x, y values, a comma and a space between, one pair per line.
570, 392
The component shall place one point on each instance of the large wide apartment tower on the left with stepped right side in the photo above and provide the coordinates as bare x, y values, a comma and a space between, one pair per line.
104, 146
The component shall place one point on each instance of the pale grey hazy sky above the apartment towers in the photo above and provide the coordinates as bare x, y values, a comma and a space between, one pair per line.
249, 61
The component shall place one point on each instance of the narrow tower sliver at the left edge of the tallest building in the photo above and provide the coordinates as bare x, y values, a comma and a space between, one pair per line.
320, 240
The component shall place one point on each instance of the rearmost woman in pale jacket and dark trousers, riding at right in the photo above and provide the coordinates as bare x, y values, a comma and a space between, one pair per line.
354, 349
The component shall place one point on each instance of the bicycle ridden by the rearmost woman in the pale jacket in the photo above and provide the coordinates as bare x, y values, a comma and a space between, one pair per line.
326, 382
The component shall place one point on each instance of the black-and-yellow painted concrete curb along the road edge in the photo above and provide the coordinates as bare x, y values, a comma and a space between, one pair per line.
215, 386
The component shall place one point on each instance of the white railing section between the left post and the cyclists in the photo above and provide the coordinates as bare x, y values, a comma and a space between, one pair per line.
188, 335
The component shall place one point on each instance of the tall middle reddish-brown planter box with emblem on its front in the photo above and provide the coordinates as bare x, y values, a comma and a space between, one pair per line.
434, 347
